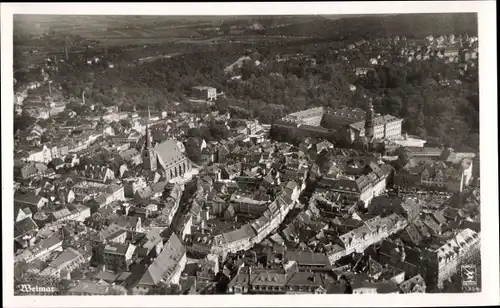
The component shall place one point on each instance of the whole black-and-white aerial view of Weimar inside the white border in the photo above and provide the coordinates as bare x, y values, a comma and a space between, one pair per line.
271, 154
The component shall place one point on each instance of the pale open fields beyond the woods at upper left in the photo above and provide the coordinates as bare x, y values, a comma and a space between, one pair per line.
116, 29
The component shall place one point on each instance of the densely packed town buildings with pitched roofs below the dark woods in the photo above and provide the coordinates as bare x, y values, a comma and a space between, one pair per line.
101, 208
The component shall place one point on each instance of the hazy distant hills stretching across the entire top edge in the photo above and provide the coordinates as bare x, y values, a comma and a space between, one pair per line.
410, 25
